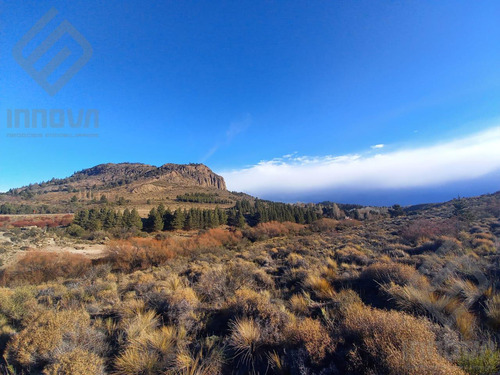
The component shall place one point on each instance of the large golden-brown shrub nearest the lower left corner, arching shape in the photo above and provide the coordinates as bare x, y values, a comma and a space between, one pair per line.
51, 334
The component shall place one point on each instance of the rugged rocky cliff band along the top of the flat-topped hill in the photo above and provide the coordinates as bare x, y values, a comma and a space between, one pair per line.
185, 174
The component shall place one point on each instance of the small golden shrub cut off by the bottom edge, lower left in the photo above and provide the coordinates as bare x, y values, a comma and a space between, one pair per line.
76, 362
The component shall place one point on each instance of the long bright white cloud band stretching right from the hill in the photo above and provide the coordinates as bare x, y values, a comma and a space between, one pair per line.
455, 160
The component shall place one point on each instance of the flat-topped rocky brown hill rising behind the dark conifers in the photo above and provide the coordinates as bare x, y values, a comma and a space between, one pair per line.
133, 185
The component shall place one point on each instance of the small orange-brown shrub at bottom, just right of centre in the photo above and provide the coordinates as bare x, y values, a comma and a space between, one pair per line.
313, 336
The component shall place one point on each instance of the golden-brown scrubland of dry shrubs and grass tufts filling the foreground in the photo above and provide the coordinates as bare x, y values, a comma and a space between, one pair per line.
413, 293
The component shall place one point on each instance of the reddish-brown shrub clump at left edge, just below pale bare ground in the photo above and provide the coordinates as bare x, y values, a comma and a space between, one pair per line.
36, 267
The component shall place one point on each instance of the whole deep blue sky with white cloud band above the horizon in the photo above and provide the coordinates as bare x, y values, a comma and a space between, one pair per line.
295, 85
